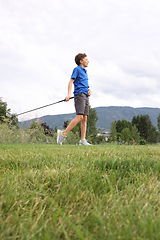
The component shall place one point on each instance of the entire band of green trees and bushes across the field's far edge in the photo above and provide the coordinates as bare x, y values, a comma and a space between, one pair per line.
139, 131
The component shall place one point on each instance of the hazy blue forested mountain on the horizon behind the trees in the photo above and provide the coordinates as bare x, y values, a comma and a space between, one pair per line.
105, 116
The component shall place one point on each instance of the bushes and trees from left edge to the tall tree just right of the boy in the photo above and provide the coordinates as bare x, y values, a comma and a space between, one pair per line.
40, 132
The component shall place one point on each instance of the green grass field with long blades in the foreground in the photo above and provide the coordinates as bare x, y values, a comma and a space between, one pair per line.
79, 192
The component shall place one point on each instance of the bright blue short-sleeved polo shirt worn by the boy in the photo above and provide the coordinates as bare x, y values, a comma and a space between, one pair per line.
80, 80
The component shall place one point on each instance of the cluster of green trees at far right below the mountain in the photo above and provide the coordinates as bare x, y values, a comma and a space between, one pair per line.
139, 131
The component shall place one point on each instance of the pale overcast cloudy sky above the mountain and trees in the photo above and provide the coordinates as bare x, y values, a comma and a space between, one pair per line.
40, 39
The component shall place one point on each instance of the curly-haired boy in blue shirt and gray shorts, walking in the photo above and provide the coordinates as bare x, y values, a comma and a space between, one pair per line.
81, 99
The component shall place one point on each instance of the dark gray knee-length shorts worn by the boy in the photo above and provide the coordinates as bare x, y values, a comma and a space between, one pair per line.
81, 102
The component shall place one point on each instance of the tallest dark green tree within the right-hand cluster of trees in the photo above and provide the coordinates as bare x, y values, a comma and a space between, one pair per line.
143, 123
